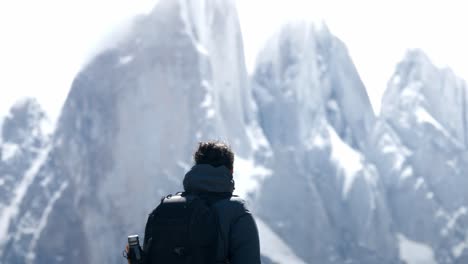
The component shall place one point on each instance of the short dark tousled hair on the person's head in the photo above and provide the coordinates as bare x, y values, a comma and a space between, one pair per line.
214, 153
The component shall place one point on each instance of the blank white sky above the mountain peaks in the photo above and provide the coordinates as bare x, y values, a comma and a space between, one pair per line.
44, 43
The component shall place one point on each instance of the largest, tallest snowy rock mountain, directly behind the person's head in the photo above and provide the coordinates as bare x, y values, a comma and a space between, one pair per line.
131, 122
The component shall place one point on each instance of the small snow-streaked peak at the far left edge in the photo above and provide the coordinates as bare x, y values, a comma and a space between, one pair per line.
24, 150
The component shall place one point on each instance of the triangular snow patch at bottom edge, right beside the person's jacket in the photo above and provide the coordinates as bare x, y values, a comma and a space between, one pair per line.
272, 246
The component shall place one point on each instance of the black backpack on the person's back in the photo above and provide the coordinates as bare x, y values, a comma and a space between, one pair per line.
184, 229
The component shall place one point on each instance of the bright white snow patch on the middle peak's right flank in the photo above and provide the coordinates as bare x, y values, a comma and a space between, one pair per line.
346, 158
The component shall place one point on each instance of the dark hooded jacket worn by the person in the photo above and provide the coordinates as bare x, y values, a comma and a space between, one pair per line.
239, 236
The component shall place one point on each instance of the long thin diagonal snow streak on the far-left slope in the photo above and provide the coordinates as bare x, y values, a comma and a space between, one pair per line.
11, 211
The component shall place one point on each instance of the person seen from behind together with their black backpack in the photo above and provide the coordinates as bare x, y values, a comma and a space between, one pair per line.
206, 223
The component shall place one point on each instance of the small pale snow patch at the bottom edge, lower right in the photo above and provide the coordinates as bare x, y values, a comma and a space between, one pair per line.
413, 252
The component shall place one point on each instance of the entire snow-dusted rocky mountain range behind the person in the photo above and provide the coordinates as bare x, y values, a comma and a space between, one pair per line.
328, 181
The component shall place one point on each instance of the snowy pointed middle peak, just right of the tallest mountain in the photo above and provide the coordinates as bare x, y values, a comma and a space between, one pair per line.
316, 114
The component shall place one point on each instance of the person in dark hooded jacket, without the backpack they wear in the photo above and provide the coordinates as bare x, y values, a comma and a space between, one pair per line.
211, 178
